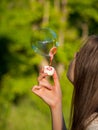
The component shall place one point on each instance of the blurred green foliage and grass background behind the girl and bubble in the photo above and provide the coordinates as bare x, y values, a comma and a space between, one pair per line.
73, 21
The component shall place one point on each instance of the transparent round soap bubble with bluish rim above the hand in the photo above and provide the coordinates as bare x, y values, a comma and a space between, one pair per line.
43, 40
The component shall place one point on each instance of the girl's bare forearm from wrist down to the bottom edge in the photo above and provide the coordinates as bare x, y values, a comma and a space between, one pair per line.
57, 118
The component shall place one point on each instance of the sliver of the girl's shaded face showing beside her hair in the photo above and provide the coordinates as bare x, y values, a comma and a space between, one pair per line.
70, 72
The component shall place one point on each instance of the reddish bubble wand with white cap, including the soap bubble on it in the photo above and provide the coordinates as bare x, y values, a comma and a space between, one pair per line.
45, 44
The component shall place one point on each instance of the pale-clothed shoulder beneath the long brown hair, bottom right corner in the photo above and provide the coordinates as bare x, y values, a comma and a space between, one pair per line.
94, 123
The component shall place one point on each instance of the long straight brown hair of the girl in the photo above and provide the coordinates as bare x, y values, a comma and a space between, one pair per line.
85, 94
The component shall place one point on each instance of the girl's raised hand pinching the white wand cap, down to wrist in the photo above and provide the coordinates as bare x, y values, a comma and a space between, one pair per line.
51, 94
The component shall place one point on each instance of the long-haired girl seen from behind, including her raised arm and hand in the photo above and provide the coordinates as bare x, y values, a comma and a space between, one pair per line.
83, 74
